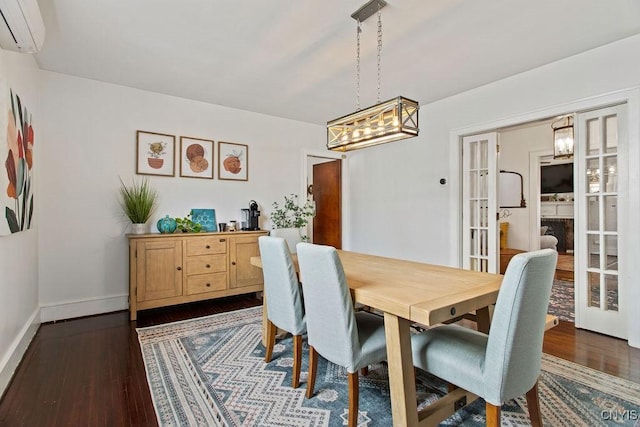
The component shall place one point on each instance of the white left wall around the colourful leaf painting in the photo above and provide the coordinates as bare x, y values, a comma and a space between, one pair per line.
19, 313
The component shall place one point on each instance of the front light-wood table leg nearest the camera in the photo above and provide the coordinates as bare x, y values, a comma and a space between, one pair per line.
402, 382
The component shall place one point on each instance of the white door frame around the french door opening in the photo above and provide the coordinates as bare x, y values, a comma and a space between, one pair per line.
628, 216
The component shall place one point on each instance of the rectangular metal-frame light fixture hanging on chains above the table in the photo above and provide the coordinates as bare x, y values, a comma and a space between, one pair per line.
386, 121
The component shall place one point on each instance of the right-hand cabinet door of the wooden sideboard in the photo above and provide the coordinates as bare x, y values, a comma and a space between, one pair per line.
241, 272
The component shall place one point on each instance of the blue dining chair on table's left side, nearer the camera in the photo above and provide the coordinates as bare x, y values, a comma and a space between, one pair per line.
334, 330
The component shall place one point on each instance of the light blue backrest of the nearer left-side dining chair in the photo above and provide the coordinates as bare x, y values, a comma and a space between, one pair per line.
331, 322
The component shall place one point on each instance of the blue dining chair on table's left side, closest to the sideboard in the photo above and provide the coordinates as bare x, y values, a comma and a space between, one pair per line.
285, 309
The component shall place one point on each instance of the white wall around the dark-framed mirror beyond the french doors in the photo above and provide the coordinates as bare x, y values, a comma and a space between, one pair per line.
515, 146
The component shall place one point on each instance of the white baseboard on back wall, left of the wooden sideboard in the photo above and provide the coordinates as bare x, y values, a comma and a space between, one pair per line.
79, 308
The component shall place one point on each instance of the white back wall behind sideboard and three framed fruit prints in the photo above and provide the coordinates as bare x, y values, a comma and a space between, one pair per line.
91, 139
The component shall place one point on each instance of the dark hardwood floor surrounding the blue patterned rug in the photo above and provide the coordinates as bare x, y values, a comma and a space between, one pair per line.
89, 371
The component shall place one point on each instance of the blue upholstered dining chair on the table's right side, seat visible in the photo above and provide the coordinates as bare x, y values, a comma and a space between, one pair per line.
504, 364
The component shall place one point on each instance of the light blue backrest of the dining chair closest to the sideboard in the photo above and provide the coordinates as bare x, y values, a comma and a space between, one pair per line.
281, 287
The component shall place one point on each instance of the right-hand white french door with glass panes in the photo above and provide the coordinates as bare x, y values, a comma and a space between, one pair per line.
601, 168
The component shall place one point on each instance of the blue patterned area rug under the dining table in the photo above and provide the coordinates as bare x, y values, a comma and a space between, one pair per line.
210, 371
